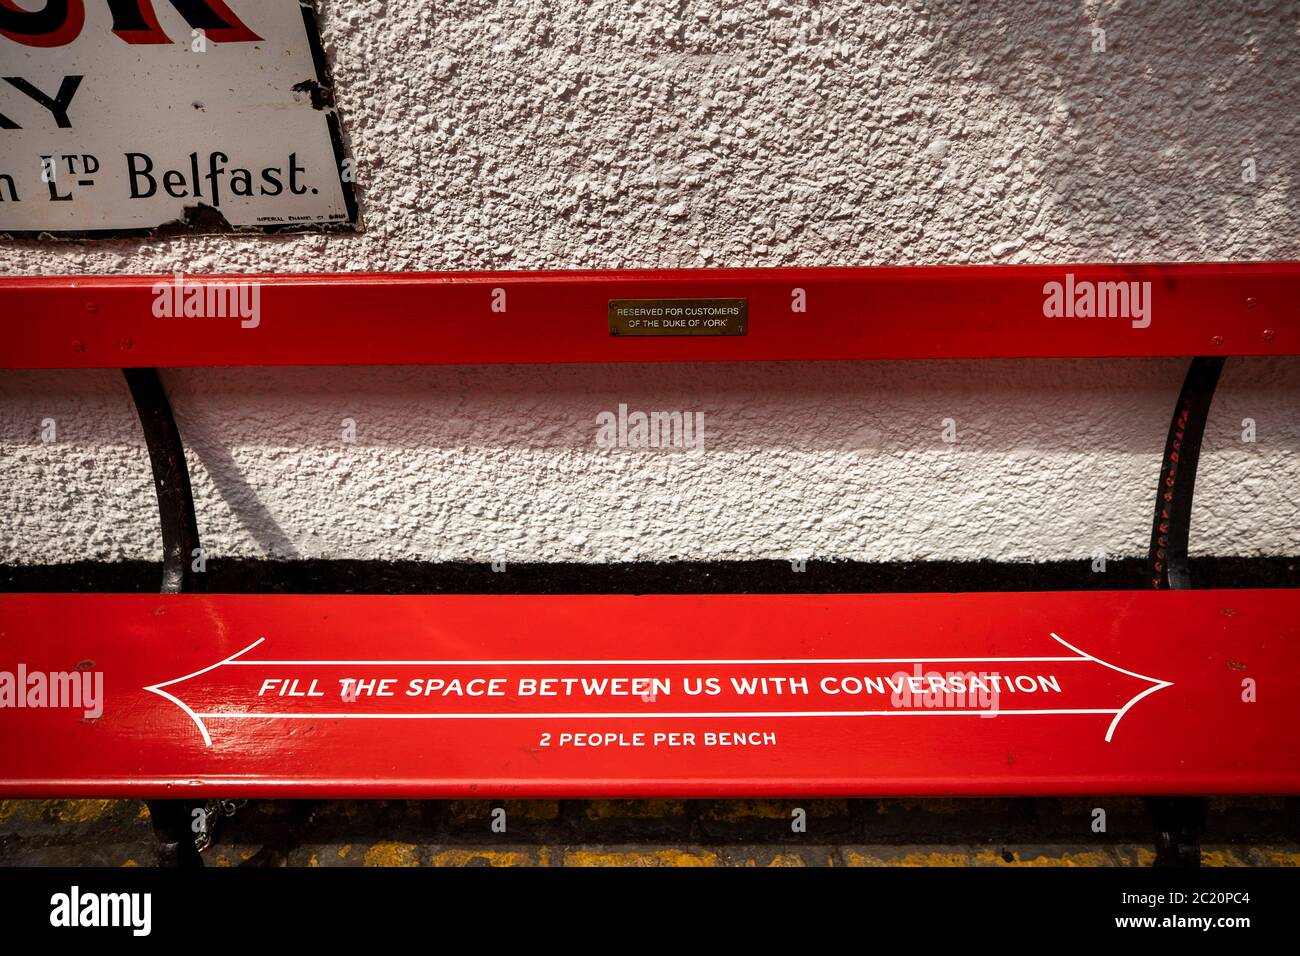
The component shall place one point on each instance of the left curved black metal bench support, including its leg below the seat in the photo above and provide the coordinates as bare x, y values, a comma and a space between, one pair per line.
172, 820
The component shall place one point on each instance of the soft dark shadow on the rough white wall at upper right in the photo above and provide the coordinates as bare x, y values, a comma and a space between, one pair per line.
1145, 144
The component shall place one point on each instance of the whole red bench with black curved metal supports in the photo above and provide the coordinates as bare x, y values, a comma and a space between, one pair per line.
1162, 693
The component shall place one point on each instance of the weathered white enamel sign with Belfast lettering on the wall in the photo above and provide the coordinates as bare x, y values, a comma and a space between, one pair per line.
164, 118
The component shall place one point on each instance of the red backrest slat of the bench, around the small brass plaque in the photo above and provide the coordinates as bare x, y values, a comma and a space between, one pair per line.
915, 313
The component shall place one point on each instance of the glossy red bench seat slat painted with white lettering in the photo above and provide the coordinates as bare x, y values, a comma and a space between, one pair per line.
1095, 694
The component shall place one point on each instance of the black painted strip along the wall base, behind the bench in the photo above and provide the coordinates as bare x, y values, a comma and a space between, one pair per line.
254, 577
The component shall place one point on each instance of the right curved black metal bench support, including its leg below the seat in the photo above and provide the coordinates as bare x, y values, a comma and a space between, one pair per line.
1180, 821
